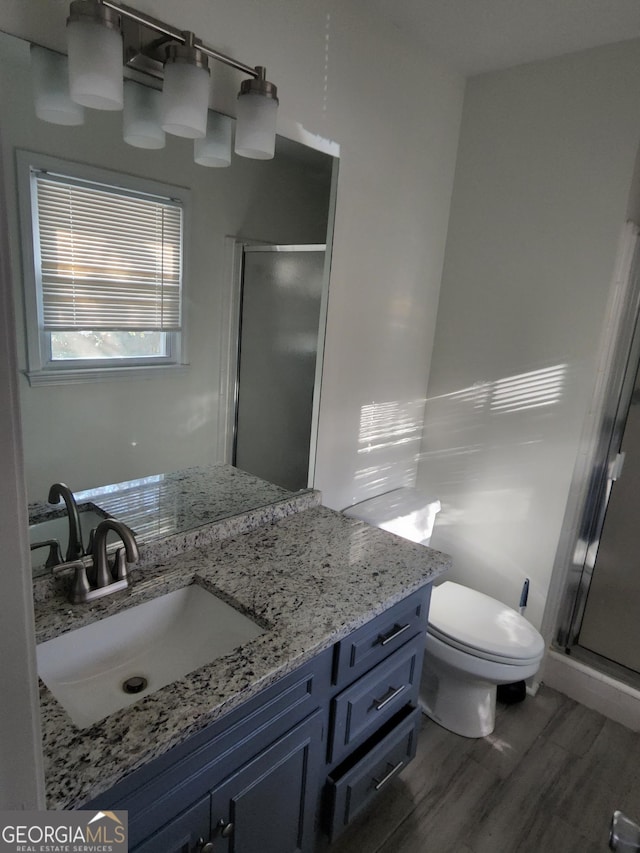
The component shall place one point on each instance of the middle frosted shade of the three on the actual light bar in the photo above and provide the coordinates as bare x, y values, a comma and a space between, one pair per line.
185, 99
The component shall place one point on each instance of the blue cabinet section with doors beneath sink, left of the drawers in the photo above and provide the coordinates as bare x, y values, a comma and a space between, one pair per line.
263, 758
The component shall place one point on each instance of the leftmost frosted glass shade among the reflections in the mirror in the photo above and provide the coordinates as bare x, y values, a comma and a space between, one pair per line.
50, 78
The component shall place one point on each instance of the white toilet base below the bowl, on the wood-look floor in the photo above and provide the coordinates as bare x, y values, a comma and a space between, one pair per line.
462, 706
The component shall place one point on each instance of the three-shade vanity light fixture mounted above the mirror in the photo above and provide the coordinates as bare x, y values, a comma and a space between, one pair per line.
101, 32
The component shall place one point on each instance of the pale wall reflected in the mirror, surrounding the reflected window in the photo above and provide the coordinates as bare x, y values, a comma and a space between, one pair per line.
92, 433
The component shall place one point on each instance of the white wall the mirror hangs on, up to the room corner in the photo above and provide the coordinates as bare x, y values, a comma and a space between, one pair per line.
395, 113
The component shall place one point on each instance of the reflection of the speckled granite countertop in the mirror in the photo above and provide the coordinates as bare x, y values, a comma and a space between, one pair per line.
171, 513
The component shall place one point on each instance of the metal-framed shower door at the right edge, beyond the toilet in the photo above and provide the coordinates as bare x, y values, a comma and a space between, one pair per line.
600, 619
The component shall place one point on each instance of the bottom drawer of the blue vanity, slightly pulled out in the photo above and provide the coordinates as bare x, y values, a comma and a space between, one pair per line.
357, 782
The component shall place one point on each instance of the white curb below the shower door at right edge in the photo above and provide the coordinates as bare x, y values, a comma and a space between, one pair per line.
599, 692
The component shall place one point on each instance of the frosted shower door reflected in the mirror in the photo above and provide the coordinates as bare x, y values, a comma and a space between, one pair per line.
279, 326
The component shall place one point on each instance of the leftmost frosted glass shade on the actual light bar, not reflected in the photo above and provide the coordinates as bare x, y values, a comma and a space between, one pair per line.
95, 65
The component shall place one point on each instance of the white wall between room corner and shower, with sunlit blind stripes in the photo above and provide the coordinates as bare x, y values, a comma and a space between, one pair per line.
542, 182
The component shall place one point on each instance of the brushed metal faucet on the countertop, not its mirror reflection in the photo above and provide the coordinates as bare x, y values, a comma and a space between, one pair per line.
95, 577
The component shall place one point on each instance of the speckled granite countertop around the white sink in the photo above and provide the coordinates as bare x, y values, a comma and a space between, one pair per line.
309, 579
